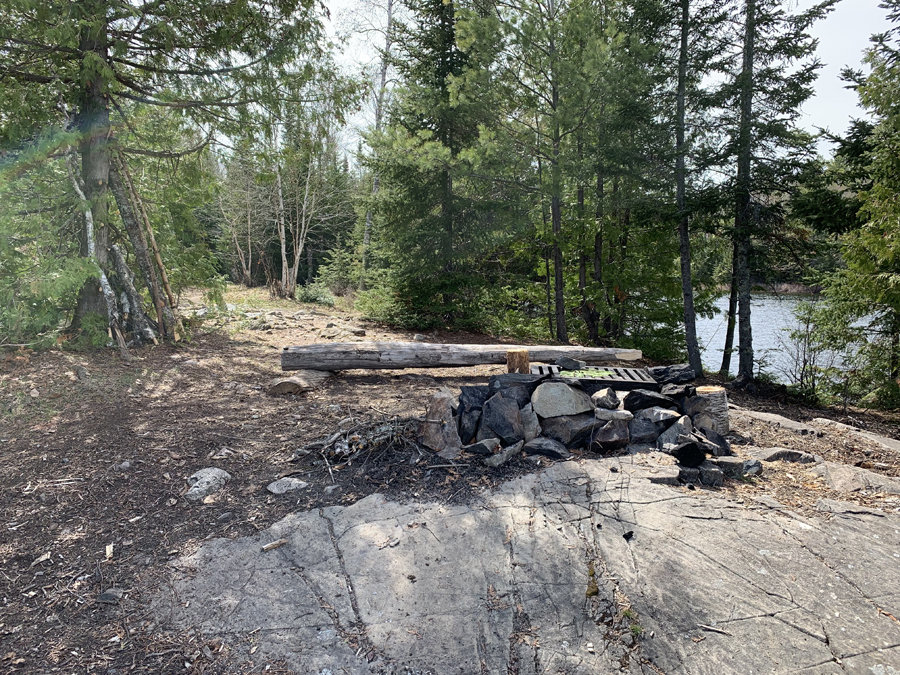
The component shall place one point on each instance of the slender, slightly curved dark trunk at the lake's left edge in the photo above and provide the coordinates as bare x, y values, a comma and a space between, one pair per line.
684, 239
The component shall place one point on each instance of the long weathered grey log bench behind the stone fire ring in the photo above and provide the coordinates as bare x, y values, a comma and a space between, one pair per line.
380, 355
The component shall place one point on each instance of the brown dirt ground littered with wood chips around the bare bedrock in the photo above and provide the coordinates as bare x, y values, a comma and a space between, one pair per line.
96, 452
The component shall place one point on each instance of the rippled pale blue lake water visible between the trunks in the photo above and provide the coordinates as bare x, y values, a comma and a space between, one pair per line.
770, 315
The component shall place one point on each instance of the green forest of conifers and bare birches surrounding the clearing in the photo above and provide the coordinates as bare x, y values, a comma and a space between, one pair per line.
595, 171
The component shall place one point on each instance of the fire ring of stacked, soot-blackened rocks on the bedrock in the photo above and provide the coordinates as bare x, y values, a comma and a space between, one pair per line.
566, 413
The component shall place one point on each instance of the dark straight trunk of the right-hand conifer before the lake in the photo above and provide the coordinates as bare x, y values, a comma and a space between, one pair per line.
744, 214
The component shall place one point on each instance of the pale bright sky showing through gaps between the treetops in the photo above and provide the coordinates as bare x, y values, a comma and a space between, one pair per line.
843, 36
